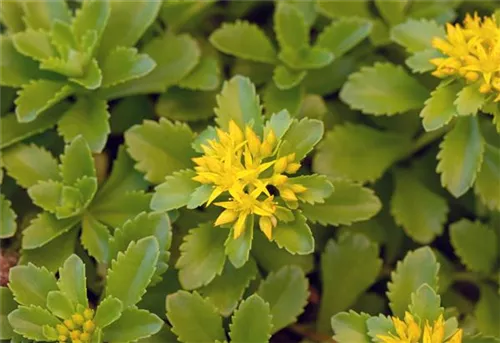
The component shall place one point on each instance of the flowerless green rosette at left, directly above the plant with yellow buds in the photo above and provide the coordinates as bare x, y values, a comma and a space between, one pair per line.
71, 199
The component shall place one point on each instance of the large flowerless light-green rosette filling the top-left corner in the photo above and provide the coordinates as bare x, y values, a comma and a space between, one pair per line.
52, 55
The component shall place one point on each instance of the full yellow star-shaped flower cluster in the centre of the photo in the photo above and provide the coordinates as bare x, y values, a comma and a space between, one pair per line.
241, 167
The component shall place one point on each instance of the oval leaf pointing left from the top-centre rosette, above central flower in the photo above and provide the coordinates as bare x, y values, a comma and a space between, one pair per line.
244, 40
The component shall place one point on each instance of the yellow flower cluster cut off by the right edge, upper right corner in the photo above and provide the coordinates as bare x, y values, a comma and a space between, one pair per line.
473, 52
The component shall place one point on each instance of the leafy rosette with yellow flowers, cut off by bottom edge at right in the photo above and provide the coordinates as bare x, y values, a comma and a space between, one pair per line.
415, 305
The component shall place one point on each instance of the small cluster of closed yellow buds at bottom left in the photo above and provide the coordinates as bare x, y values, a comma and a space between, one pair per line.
78, 328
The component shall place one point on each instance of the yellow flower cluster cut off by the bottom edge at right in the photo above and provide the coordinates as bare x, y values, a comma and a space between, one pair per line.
409, 331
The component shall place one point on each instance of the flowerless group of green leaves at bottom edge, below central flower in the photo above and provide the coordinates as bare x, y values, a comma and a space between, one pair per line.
278, 301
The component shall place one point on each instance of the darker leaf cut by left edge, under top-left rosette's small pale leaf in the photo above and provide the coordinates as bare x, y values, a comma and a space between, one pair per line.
16, 68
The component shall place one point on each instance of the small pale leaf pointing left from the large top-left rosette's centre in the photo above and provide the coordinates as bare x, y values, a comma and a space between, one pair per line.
34, 44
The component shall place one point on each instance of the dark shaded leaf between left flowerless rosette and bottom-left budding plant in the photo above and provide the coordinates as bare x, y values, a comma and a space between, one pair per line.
53, 254
